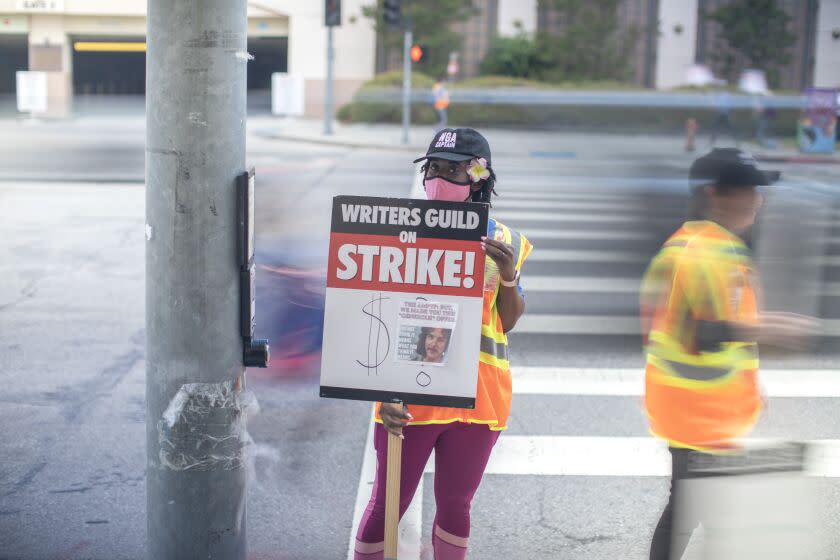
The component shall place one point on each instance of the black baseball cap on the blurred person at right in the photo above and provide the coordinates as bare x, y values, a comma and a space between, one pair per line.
729, 167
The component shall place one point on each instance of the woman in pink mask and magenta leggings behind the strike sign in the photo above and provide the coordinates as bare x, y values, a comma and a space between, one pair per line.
457, 168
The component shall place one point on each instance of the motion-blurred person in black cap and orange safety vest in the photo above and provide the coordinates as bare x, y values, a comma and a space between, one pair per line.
702, 324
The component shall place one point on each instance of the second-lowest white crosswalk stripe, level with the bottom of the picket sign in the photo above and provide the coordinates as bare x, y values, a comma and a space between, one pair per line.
800, 383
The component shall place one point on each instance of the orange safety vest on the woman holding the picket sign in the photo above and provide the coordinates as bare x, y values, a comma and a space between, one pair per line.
493, 394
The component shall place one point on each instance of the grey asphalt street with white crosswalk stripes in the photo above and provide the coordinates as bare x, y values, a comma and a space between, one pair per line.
71, 353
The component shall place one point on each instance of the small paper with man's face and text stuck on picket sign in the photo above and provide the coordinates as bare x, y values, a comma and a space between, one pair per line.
425, 331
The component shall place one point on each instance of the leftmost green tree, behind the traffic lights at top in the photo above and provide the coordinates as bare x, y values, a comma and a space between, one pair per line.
431, 21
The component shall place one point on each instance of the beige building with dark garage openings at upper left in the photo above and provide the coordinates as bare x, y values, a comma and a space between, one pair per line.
91, 47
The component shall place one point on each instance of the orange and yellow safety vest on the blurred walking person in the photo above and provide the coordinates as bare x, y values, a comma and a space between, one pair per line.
695, 399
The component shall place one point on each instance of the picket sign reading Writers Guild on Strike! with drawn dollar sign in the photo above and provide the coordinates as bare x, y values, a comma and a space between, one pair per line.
405, 283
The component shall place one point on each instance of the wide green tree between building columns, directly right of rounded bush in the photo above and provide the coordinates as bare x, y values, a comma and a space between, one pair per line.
590, 45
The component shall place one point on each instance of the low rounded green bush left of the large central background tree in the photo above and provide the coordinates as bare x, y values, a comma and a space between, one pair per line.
519, 57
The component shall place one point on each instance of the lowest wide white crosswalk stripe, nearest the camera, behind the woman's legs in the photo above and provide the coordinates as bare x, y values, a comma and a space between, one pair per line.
615, 456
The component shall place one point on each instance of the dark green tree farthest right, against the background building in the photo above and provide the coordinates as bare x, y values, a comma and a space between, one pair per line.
757, 30
